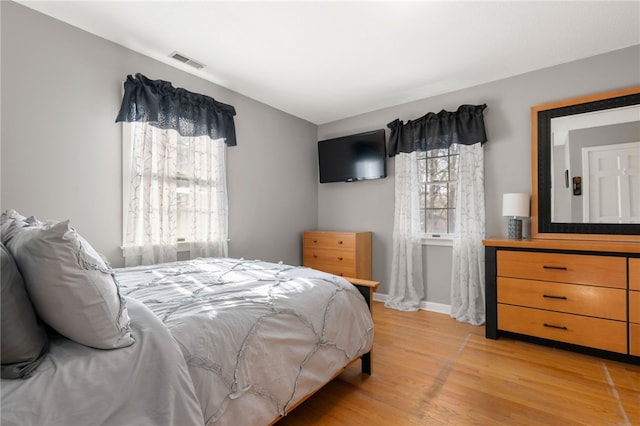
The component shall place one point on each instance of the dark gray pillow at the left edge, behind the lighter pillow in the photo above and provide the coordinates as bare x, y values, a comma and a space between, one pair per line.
23, 344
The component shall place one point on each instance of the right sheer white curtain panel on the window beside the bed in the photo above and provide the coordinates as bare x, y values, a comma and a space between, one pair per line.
208, 212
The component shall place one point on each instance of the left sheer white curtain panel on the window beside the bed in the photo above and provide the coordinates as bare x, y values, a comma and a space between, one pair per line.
150, 227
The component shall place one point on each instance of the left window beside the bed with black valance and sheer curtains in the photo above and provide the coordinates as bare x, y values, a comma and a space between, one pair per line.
174, 171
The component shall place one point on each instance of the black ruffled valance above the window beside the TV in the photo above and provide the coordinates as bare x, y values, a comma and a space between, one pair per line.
438, 131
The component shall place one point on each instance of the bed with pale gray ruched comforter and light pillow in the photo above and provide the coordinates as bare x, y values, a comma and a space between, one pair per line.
214, 341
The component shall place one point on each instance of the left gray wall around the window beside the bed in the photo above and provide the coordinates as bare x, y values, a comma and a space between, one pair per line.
61, 150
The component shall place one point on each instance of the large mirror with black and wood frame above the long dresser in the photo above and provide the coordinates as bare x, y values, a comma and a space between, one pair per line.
586, 167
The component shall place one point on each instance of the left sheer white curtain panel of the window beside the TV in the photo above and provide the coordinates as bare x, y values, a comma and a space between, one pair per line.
407, 281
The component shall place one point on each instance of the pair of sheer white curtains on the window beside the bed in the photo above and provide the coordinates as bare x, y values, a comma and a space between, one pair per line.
156, 211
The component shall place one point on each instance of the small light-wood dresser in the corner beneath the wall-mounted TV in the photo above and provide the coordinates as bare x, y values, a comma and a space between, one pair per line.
347, 254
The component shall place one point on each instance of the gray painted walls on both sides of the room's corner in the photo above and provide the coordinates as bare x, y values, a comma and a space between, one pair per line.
61, 151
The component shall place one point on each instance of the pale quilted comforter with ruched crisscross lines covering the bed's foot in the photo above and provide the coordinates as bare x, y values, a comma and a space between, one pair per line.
256, 336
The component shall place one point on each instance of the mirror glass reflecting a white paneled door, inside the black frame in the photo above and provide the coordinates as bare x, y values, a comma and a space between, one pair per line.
595, 173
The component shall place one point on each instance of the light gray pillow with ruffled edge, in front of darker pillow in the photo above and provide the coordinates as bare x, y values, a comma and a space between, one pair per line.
71, 287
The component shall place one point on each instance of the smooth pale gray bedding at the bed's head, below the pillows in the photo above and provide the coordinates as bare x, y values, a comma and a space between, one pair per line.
78, 386
